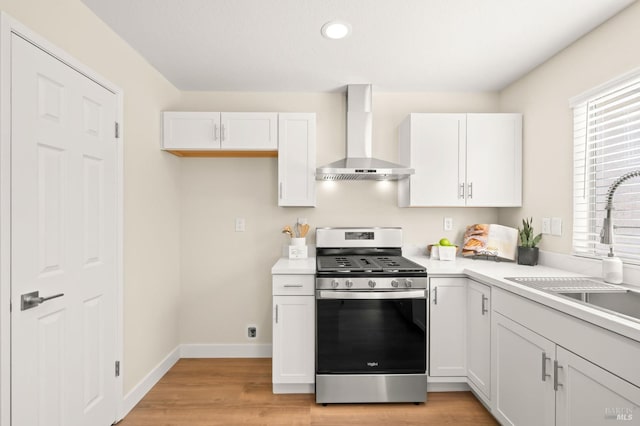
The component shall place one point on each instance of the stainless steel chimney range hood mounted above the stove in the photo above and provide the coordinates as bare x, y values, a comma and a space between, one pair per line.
358, 164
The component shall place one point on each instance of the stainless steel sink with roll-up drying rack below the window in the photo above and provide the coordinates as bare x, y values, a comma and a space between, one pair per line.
611, 298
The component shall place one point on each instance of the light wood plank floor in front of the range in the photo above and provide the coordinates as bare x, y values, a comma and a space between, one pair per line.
199, 392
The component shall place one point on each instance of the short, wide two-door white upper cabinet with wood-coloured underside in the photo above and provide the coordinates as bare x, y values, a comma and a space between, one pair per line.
210, 131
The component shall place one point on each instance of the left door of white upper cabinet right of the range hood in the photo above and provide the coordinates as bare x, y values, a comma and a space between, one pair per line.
430, 143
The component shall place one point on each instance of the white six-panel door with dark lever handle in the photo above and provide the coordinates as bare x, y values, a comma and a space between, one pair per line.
63, 242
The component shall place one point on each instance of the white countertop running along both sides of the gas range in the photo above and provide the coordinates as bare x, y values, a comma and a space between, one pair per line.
493, 273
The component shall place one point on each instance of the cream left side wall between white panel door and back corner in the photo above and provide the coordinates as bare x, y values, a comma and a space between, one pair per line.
151, 177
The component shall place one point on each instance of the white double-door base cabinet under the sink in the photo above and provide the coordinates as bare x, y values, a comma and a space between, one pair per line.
538, 382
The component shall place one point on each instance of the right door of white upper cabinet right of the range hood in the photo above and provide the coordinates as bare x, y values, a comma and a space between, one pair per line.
494, 160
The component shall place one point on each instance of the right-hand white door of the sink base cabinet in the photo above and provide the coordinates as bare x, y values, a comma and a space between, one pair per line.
588, 395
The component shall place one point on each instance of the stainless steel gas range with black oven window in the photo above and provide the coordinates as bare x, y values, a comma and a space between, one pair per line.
371, 318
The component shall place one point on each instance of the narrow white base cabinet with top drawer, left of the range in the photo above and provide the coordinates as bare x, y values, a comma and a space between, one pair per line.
293, 368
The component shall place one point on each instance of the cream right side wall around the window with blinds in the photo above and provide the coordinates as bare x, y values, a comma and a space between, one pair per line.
543, 97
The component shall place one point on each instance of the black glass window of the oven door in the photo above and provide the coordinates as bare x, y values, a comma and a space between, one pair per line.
371, 336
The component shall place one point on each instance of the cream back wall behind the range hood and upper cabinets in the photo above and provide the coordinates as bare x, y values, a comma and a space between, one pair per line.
226, 282
